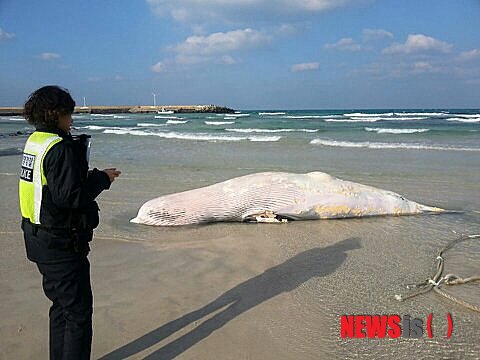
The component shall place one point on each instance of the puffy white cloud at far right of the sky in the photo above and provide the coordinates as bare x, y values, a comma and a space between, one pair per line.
418, 43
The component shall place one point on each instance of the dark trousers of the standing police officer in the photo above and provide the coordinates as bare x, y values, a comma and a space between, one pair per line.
67, 285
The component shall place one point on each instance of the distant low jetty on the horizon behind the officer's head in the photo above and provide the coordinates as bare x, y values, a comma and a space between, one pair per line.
12, 111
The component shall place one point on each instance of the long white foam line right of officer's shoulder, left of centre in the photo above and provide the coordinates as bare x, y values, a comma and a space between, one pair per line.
193, 136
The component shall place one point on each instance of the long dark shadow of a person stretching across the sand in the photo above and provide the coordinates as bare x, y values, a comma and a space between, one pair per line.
274, 281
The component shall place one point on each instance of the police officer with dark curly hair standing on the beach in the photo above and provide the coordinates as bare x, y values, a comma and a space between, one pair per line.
57, 201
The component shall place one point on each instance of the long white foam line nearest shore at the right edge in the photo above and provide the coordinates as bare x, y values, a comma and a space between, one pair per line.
380, 145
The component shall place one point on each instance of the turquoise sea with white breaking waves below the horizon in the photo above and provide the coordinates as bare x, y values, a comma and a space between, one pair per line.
430, 130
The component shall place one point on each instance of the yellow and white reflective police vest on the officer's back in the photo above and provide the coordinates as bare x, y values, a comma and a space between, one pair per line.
32, 176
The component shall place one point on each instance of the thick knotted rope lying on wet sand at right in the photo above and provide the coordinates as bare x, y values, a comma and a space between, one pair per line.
437, 280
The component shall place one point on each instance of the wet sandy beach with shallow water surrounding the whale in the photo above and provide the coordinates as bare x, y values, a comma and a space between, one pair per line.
253, 291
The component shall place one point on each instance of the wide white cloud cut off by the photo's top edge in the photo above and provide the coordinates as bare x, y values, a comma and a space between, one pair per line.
234, 11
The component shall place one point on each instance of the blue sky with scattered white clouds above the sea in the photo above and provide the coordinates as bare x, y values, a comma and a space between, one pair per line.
246, 54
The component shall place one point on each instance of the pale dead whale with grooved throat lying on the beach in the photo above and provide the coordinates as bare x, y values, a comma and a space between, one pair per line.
276, 197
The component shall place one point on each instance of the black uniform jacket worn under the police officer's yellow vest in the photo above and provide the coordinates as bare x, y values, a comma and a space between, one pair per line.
68, 212
